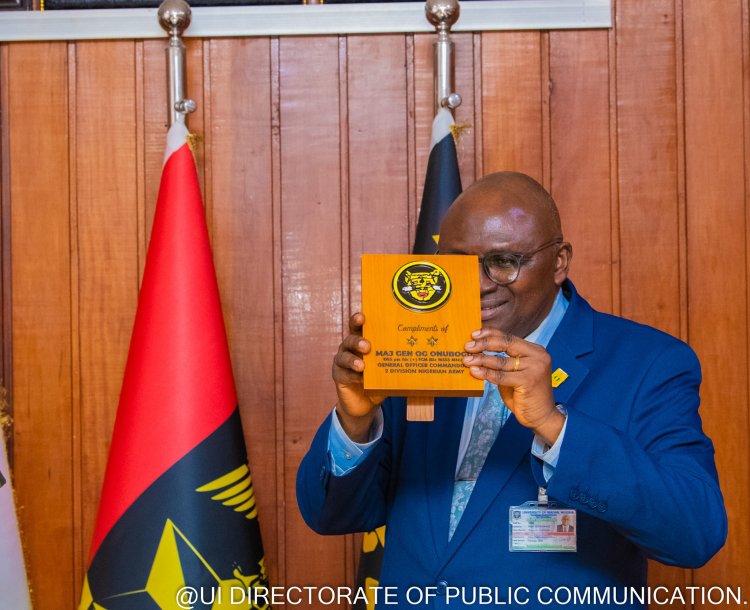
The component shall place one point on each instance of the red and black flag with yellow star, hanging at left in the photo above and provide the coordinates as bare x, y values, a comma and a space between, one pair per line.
177, 507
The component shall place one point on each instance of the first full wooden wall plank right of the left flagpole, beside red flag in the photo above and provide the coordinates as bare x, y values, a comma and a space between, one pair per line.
241, 180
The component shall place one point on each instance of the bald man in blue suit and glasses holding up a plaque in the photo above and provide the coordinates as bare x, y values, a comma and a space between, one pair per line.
618, 441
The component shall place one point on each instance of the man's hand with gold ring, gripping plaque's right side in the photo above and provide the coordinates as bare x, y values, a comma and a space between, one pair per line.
523, 378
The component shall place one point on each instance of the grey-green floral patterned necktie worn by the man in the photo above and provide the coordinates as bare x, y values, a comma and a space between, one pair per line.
491, 417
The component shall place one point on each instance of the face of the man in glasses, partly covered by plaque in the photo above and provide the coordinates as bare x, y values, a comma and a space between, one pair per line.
481, 225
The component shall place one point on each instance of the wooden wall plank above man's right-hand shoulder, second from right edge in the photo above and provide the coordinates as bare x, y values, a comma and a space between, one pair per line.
651, 207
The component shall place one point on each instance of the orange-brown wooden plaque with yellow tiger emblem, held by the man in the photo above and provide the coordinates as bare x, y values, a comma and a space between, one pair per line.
419, 313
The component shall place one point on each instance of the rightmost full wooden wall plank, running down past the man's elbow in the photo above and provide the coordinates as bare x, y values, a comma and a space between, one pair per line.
717, 246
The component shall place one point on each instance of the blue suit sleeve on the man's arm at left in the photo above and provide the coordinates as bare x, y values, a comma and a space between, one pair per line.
352, 502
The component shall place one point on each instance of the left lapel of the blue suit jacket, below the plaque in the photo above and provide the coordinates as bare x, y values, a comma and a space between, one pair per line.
443, 439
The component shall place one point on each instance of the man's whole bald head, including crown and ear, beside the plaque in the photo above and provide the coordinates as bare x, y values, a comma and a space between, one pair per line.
509, 216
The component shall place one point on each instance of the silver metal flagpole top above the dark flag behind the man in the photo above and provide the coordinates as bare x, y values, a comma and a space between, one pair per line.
443, 14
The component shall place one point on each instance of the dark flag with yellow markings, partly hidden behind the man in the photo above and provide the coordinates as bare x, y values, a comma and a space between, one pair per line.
441, 187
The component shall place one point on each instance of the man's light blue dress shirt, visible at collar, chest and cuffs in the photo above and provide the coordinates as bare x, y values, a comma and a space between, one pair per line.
346, 454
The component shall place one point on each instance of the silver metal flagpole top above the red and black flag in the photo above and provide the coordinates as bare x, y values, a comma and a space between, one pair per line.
174, 18
